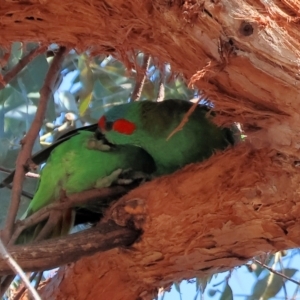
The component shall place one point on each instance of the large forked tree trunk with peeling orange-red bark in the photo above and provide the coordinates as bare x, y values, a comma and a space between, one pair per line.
212, 216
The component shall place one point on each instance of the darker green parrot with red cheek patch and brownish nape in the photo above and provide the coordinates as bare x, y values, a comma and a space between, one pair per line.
148, 125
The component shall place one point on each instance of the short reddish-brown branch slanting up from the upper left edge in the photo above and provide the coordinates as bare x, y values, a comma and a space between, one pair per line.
20, 65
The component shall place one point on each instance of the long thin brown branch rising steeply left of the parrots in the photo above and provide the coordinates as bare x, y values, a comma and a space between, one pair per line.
28, 141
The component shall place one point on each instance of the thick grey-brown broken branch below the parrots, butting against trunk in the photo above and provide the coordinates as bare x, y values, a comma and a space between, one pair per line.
53, 253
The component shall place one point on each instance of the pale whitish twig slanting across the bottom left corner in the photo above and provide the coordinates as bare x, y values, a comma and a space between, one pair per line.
18, 271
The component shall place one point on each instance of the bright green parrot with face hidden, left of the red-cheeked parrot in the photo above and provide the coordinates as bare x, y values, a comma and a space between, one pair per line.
82, 162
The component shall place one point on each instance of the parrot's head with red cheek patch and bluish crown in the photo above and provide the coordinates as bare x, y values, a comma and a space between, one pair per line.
121, 124
